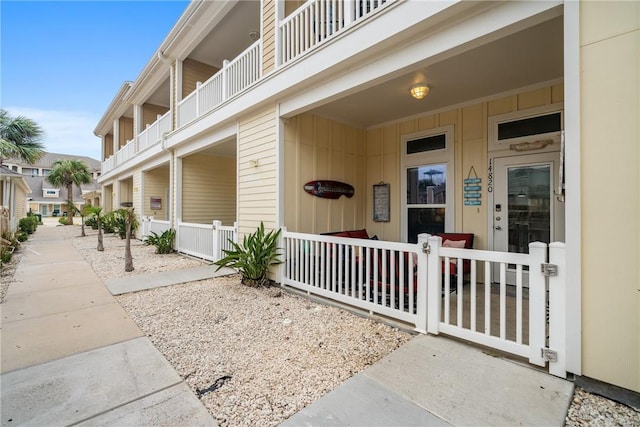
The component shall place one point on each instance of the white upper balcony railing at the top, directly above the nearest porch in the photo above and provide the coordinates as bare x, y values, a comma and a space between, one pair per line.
318, 20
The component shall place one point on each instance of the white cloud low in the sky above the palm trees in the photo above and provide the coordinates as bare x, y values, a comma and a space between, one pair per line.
66, 132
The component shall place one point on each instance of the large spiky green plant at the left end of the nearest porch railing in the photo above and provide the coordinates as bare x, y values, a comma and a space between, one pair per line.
253, 258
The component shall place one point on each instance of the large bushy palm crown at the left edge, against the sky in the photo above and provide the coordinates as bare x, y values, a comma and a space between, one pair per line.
20, 138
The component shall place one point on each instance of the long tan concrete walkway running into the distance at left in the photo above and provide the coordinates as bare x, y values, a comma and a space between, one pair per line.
71, 355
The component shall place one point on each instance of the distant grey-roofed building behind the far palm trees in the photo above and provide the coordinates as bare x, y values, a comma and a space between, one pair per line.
46, 199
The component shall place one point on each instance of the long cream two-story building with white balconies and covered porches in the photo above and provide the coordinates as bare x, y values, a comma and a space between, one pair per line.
245, 102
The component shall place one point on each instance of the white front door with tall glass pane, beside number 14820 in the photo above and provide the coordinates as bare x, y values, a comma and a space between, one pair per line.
525, 208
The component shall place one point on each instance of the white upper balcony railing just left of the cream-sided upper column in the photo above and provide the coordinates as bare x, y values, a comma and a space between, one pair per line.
234, 77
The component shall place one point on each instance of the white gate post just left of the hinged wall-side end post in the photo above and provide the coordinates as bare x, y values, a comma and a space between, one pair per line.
537, 303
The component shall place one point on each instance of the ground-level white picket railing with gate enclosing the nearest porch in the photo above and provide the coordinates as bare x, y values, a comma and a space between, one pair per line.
407, 282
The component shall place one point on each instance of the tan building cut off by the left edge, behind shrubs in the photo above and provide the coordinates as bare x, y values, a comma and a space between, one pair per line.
13, 199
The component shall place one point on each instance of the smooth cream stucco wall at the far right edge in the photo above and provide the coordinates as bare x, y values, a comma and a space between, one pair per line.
610, 99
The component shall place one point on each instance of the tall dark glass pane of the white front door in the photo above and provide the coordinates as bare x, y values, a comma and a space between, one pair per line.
529, 198
